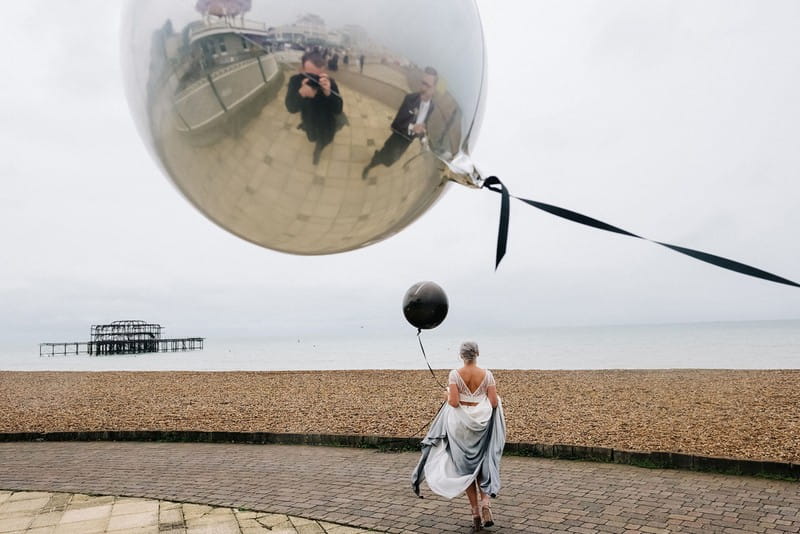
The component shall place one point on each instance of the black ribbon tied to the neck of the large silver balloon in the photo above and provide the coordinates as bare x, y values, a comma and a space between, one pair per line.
494, 184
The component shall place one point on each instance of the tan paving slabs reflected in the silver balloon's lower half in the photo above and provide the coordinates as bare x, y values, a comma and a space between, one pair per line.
272, 189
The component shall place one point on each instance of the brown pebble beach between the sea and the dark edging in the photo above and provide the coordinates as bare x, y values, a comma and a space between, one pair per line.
732, 413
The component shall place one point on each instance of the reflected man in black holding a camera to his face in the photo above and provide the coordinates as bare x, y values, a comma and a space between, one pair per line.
315, 95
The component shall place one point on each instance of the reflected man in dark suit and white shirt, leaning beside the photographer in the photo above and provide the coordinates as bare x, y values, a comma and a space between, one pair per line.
410, 122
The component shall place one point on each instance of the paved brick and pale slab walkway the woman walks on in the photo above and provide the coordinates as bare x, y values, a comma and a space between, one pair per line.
368, 489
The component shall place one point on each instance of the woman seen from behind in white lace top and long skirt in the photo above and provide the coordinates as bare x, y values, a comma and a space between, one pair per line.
462, 450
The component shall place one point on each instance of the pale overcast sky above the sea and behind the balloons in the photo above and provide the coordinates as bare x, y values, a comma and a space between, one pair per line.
679, 121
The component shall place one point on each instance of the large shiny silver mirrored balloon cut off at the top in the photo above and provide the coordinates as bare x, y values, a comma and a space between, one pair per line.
307, 126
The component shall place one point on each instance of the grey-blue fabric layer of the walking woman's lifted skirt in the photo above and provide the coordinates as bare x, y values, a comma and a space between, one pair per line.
482, 452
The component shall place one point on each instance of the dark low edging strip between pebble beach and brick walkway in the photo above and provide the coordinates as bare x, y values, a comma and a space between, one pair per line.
650, 459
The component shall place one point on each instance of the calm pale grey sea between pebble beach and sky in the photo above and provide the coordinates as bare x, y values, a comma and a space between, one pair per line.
720, 345
